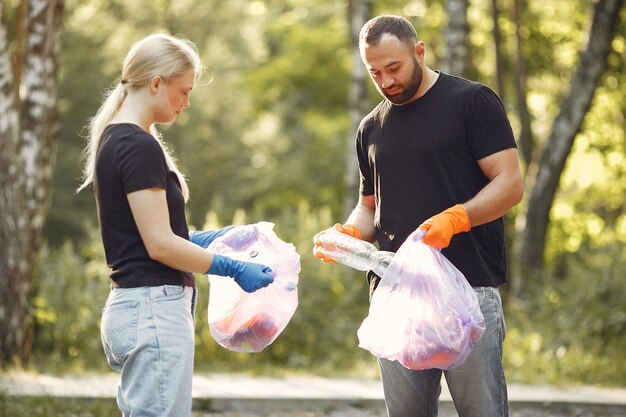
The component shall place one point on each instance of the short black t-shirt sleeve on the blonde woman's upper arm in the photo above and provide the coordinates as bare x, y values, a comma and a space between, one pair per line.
141, 163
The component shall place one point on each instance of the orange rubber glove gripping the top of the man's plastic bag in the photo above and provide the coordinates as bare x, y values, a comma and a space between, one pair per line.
441, 227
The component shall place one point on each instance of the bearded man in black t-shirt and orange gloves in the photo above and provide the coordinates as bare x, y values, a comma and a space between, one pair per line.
437, 153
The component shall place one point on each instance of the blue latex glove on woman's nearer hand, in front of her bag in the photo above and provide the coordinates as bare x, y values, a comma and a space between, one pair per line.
250, 276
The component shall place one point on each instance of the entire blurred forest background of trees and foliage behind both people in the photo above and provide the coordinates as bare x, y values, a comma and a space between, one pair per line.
269, 136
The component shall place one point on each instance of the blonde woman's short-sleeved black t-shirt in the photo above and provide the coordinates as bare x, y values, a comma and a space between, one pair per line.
129, 159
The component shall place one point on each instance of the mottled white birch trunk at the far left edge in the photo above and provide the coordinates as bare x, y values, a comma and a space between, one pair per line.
28, 135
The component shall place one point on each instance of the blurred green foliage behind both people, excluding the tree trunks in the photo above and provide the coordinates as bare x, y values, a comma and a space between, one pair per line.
266, 140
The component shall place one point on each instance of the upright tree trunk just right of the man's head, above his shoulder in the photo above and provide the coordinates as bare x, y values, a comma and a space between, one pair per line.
455, 35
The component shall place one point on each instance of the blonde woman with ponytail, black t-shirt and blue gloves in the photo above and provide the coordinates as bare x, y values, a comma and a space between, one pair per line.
147, 322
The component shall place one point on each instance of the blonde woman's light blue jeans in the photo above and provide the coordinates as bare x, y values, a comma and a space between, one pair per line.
148, 335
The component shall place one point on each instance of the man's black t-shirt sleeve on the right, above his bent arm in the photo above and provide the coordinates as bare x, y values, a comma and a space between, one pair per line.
489, 129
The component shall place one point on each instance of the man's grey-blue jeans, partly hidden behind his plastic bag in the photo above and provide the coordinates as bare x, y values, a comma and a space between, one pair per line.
478, 386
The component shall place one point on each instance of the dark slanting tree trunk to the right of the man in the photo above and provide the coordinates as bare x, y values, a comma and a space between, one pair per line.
566, 126
